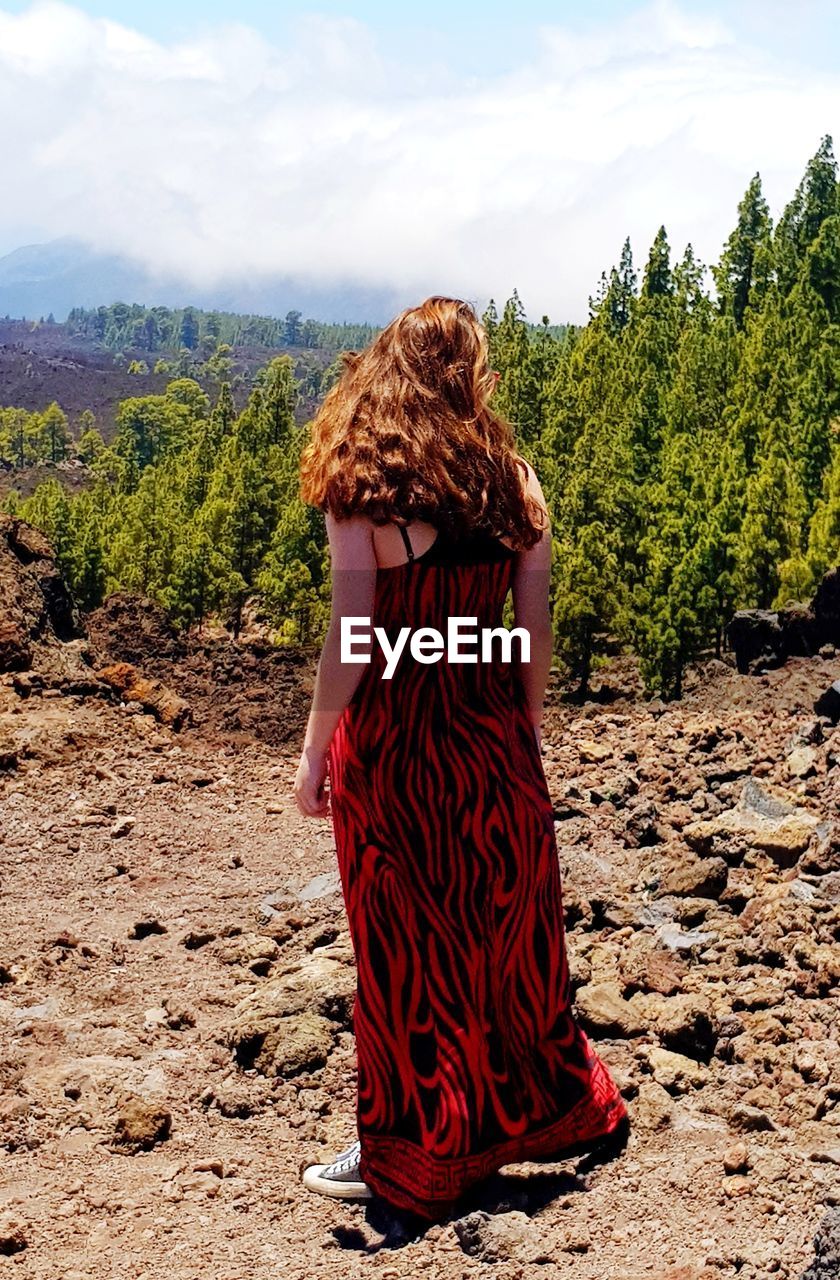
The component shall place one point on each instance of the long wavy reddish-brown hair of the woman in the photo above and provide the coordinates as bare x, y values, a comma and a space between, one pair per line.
408, 433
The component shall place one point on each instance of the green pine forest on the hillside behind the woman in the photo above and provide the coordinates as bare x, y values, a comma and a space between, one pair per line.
687, 438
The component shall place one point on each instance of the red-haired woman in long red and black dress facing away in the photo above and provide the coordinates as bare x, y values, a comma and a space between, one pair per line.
469, 1054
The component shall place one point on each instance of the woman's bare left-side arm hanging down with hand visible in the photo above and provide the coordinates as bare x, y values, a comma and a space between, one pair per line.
354, 580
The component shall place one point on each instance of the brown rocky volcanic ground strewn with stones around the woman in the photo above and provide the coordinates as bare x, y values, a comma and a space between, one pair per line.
176, 980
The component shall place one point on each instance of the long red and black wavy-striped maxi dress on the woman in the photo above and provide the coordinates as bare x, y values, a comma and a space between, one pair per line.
469, 1055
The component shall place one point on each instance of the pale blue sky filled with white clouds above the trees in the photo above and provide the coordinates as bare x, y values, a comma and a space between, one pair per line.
462, 148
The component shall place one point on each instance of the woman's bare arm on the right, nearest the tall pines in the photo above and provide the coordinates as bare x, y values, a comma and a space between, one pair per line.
532, 579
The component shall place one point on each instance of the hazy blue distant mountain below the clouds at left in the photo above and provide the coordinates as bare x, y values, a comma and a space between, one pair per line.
66, 273
